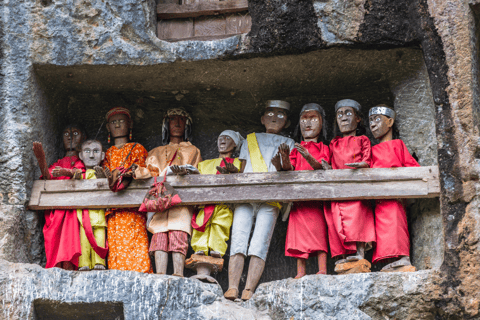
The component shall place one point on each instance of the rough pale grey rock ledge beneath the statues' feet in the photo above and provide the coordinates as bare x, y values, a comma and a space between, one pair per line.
31, 292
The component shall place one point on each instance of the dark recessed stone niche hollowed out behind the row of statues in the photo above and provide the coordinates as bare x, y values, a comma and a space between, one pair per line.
231, 94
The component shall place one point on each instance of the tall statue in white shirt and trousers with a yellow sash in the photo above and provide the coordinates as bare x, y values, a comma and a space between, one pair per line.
256, 156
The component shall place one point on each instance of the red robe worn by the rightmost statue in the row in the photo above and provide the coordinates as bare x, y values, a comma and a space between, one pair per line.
393, 239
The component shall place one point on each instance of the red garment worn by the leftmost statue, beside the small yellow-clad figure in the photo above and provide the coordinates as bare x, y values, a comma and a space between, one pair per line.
62, 229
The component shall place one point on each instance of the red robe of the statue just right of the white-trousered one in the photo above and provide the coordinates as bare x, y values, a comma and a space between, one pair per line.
307, 229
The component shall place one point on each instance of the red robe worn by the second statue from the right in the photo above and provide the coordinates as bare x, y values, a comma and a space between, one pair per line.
349, 221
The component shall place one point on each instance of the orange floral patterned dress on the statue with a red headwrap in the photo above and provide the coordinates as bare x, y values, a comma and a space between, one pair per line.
126, 228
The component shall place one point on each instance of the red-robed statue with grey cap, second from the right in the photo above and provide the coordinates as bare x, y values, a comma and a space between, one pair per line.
350, 223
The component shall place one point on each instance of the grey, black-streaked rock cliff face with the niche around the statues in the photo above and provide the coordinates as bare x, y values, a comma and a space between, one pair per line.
71, 60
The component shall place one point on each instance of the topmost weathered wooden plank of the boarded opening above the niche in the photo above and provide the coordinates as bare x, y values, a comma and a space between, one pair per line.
175, 11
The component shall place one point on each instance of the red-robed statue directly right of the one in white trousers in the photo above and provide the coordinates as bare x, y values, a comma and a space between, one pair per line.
307, 230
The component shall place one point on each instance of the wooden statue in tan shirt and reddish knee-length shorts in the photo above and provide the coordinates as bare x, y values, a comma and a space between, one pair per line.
178, 156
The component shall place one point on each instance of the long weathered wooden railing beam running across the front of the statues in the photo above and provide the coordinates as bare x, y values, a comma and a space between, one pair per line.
391, 183
